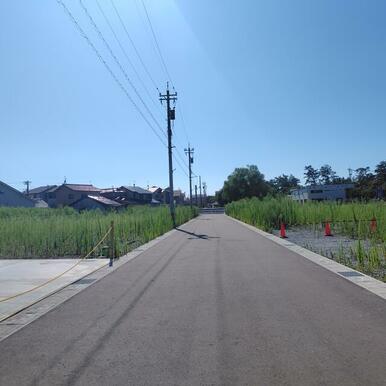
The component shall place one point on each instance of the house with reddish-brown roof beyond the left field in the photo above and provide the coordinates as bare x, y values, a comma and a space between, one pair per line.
67, 194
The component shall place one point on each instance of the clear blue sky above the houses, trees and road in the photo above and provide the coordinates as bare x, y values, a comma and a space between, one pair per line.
279, 84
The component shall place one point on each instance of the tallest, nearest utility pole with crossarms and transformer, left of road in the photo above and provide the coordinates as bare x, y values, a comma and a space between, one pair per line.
171, 115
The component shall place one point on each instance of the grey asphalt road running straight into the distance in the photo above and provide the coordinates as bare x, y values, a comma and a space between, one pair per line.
213, 304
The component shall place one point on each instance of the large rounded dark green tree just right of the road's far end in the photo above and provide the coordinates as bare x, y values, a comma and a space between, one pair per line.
244, 182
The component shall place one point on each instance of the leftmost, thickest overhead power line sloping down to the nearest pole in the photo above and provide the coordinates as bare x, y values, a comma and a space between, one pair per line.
107, 67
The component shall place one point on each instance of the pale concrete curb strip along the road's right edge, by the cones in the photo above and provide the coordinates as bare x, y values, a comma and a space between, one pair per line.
360, 279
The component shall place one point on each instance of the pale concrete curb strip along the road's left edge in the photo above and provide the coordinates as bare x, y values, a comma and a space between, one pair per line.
35, 310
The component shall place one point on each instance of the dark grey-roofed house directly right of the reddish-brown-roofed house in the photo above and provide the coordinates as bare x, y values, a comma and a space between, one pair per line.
128, 195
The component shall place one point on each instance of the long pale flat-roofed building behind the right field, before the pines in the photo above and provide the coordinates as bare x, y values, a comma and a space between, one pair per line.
336, 192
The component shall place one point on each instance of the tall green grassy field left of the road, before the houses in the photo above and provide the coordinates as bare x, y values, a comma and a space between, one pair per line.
45, 233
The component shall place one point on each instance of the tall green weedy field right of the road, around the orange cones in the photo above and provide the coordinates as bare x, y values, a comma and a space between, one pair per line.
350, 219
